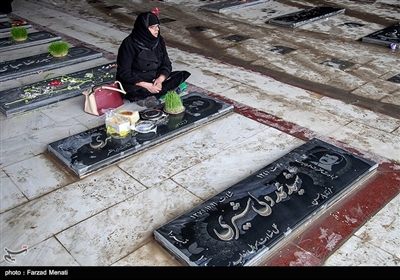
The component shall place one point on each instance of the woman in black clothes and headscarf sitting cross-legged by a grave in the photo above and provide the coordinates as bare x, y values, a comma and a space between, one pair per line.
143, 65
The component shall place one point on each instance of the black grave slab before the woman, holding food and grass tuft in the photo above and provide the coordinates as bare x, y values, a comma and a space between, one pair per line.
81, 152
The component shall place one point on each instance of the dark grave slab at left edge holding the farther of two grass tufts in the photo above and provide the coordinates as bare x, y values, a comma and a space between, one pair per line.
35, 38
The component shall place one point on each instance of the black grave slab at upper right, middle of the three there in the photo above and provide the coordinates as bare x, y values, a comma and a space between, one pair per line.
306, 16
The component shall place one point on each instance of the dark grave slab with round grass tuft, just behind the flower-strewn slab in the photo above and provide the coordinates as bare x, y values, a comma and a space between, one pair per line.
42, 62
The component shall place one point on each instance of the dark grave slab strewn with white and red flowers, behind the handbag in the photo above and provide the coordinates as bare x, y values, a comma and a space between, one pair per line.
33, 96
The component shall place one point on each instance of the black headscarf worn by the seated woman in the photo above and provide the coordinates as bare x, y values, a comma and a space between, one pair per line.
141, 35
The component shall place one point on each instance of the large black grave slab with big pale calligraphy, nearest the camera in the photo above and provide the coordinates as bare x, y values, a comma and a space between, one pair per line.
238, 226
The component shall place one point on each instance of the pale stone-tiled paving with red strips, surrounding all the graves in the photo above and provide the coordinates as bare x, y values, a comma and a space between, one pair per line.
108, 218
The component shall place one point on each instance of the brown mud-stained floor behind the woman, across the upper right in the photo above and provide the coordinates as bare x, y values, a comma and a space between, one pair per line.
190, 28
